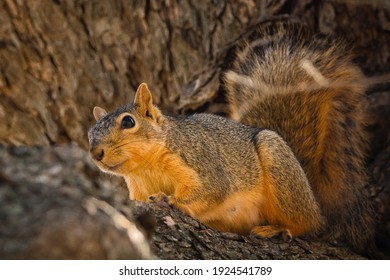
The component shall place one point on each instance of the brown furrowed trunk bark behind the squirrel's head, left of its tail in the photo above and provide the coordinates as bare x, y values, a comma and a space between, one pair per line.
60, 58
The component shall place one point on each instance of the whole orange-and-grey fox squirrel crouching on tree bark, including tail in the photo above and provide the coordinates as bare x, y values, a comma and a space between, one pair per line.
294, 167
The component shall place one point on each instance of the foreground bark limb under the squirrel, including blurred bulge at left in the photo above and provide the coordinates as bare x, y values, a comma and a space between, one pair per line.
55, 204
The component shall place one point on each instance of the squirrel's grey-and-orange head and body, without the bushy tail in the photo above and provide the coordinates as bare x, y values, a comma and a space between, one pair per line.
228, 176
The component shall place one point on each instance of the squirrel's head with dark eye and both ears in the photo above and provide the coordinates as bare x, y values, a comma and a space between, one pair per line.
128, 137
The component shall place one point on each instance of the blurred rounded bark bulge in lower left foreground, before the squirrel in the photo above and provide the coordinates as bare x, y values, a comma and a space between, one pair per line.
53, 207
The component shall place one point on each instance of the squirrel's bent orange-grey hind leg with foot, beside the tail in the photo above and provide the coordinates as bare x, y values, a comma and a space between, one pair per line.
288, 206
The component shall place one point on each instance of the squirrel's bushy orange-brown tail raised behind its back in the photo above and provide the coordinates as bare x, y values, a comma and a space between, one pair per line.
305, 88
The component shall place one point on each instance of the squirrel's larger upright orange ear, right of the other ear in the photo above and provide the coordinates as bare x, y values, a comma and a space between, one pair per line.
144, 103
